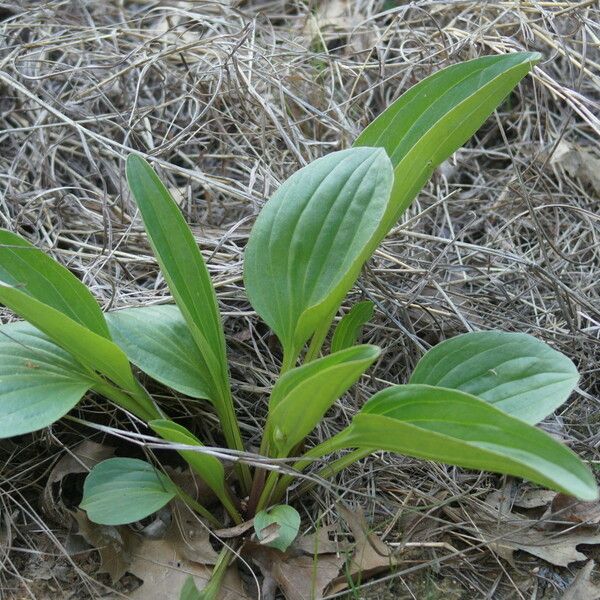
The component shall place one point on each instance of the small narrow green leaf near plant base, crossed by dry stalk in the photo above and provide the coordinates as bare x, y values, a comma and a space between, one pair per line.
208, 467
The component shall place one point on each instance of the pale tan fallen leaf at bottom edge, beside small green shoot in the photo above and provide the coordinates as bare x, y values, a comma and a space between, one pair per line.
164, 571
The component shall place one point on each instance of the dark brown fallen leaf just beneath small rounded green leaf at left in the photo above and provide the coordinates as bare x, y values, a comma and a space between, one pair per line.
115, 545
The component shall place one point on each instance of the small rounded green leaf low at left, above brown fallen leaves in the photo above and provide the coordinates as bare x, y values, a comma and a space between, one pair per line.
124, 490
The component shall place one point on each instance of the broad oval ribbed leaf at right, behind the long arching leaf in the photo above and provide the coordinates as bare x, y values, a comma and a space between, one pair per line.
523, 376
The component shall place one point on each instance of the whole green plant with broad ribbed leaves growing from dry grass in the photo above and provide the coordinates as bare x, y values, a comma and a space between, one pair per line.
472, 401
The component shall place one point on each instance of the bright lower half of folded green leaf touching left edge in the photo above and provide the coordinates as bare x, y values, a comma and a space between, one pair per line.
90, 349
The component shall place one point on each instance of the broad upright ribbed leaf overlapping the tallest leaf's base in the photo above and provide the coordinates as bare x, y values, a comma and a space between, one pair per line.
308, 244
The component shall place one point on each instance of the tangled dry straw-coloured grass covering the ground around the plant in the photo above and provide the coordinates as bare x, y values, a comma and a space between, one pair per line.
230, 98
